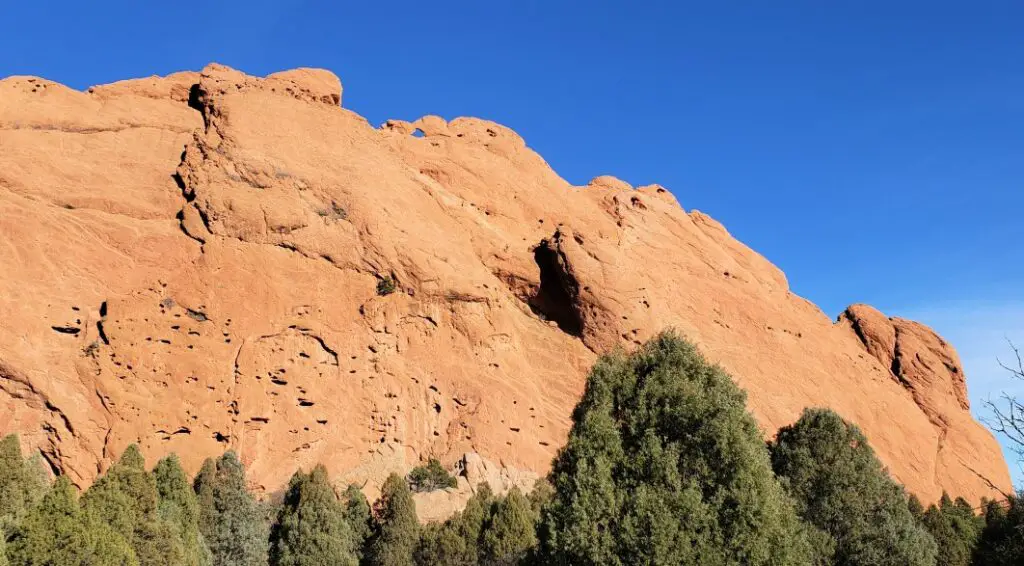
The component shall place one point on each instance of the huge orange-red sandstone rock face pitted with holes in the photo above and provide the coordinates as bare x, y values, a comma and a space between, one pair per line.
192, 264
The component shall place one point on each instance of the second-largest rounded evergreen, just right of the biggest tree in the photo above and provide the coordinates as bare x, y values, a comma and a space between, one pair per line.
841, 489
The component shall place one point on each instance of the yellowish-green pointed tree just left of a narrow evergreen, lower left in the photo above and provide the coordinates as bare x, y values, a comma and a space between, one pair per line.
126, 498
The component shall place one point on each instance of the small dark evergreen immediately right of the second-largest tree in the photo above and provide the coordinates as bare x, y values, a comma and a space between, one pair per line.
956, 530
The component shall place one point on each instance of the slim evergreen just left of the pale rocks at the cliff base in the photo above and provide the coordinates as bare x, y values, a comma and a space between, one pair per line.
397, 528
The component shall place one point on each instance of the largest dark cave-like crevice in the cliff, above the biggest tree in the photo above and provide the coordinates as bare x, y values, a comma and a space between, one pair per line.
558, 297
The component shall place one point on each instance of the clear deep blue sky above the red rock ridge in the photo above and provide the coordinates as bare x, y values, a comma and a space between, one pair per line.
875, 151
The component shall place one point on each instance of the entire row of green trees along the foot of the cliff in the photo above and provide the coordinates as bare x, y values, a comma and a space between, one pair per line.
664, 465
